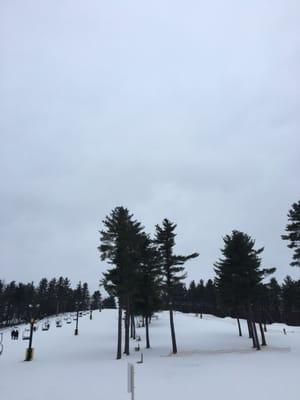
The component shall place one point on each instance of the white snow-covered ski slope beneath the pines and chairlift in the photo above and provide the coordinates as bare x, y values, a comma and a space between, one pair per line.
212, 362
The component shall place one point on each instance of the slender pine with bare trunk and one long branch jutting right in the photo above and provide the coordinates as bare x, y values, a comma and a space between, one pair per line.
172, 267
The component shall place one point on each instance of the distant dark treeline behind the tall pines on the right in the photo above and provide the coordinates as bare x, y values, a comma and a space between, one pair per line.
278, 303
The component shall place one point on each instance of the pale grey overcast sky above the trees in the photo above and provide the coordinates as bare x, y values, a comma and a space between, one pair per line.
180, 109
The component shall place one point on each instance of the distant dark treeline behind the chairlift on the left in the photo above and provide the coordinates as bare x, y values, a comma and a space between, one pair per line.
19, 302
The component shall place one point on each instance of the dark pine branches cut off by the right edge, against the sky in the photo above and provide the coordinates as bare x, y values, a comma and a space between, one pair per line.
293, 233
